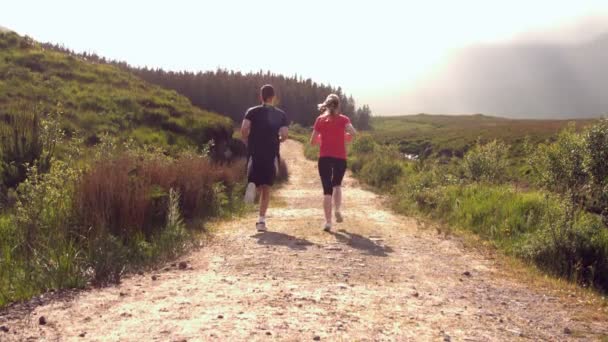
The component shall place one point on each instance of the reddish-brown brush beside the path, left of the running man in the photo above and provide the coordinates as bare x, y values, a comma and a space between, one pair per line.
127, 194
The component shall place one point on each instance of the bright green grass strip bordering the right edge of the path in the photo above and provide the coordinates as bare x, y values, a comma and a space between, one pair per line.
532, 225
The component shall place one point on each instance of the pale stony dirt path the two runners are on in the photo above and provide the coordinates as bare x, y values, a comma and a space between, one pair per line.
378, 277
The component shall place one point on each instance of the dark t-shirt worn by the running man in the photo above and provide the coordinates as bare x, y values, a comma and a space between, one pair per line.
264, 135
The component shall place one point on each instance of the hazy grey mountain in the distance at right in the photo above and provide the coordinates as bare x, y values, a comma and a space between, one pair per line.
523, 80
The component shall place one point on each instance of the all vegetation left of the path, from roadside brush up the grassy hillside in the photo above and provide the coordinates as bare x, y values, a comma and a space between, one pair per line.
101, 173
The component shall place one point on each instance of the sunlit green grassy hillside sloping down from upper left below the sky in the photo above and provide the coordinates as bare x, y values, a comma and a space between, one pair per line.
98, 98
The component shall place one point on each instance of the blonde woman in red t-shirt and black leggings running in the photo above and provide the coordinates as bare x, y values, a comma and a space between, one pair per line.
331, 130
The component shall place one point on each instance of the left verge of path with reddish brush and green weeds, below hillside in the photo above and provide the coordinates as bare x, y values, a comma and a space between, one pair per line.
126, 209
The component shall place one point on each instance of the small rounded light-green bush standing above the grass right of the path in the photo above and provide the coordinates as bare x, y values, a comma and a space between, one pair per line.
486, 163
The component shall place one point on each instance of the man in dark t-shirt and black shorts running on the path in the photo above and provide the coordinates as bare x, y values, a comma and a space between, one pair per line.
263, 129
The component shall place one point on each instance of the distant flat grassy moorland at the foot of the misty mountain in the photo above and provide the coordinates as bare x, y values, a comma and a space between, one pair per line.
455, 134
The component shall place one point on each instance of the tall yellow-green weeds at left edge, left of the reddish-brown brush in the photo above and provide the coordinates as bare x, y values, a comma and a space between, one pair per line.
43, 252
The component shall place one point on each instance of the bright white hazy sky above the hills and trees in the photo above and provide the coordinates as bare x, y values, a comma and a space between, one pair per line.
373, 49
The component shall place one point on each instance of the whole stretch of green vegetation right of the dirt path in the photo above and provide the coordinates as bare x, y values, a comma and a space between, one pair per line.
558, 219
